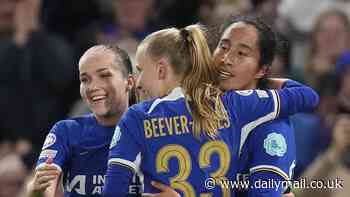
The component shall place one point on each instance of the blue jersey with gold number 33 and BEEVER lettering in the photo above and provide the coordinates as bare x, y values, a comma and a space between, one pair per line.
159, 134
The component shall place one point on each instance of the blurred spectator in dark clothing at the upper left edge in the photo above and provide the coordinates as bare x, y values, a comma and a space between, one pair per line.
37, 73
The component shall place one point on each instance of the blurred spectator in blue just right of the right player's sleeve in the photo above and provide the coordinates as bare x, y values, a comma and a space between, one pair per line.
313, 130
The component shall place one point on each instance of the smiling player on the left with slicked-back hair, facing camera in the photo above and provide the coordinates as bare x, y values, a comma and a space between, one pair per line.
78, 148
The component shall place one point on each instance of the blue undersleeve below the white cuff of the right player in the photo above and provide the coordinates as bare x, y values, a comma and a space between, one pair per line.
259, 185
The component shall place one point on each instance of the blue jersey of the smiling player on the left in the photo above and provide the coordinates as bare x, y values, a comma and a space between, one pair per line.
79, 148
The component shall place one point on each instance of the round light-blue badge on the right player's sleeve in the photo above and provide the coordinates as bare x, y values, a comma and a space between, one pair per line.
275, 144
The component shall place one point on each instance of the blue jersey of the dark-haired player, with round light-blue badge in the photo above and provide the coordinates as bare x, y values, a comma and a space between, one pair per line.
269, 150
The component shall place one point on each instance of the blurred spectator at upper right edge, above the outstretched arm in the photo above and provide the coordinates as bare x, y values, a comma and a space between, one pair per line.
330, 38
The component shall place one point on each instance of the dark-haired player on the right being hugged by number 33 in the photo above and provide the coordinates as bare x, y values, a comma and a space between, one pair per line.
246, 50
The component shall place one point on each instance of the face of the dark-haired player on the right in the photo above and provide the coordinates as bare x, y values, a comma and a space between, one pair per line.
238, 54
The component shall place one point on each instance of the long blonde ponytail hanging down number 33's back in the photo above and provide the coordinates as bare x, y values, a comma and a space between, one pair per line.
207, 108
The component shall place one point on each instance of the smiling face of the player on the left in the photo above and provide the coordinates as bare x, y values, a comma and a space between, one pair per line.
102, 84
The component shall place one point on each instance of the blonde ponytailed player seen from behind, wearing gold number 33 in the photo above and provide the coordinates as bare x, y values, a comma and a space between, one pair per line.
191, 132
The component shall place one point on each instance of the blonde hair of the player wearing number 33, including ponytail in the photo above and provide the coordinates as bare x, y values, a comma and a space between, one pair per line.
190, 57
